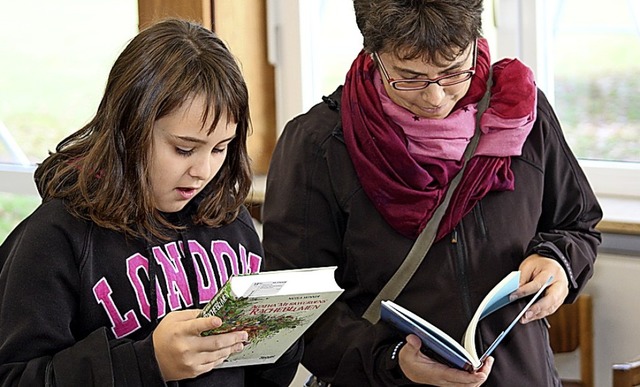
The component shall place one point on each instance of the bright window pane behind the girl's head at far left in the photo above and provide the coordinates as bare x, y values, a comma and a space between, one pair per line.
55, 57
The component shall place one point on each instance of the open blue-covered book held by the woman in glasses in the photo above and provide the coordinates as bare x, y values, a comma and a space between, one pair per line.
442, 347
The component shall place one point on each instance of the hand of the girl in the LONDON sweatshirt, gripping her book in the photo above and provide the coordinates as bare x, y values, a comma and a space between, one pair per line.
182, 353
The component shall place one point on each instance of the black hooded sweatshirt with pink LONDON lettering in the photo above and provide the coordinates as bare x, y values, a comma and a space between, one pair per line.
79, 303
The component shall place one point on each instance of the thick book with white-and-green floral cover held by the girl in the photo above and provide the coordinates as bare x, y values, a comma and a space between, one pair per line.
275, 308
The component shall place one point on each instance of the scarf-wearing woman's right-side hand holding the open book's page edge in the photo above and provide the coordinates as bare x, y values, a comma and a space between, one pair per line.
535, 271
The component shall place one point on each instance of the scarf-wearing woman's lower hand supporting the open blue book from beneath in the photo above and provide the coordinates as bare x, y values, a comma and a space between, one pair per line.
421, 369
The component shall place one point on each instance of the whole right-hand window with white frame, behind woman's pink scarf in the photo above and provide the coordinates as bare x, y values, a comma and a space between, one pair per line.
586, 56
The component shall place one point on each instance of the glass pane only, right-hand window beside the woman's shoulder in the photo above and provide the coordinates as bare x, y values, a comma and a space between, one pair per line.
597, 76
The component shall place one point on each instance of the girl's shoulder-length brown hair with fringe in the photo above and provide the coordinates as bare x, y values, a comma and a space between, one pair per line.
101, 171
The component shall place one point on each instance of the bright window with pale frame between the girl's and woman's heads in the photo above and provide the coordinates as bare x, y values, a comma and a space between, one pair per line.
310, 40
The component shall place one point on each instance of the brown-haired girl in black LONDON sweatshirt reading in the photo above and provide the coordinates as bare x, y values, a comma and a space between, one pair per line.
142, 221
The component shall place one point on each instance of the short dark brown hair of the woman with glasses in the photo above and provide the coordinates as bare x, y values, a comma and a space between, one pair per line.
411, 29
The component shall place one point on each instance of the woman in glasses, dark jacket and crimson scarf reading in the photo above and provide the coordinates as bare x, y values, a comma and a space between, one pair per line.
355, 180
